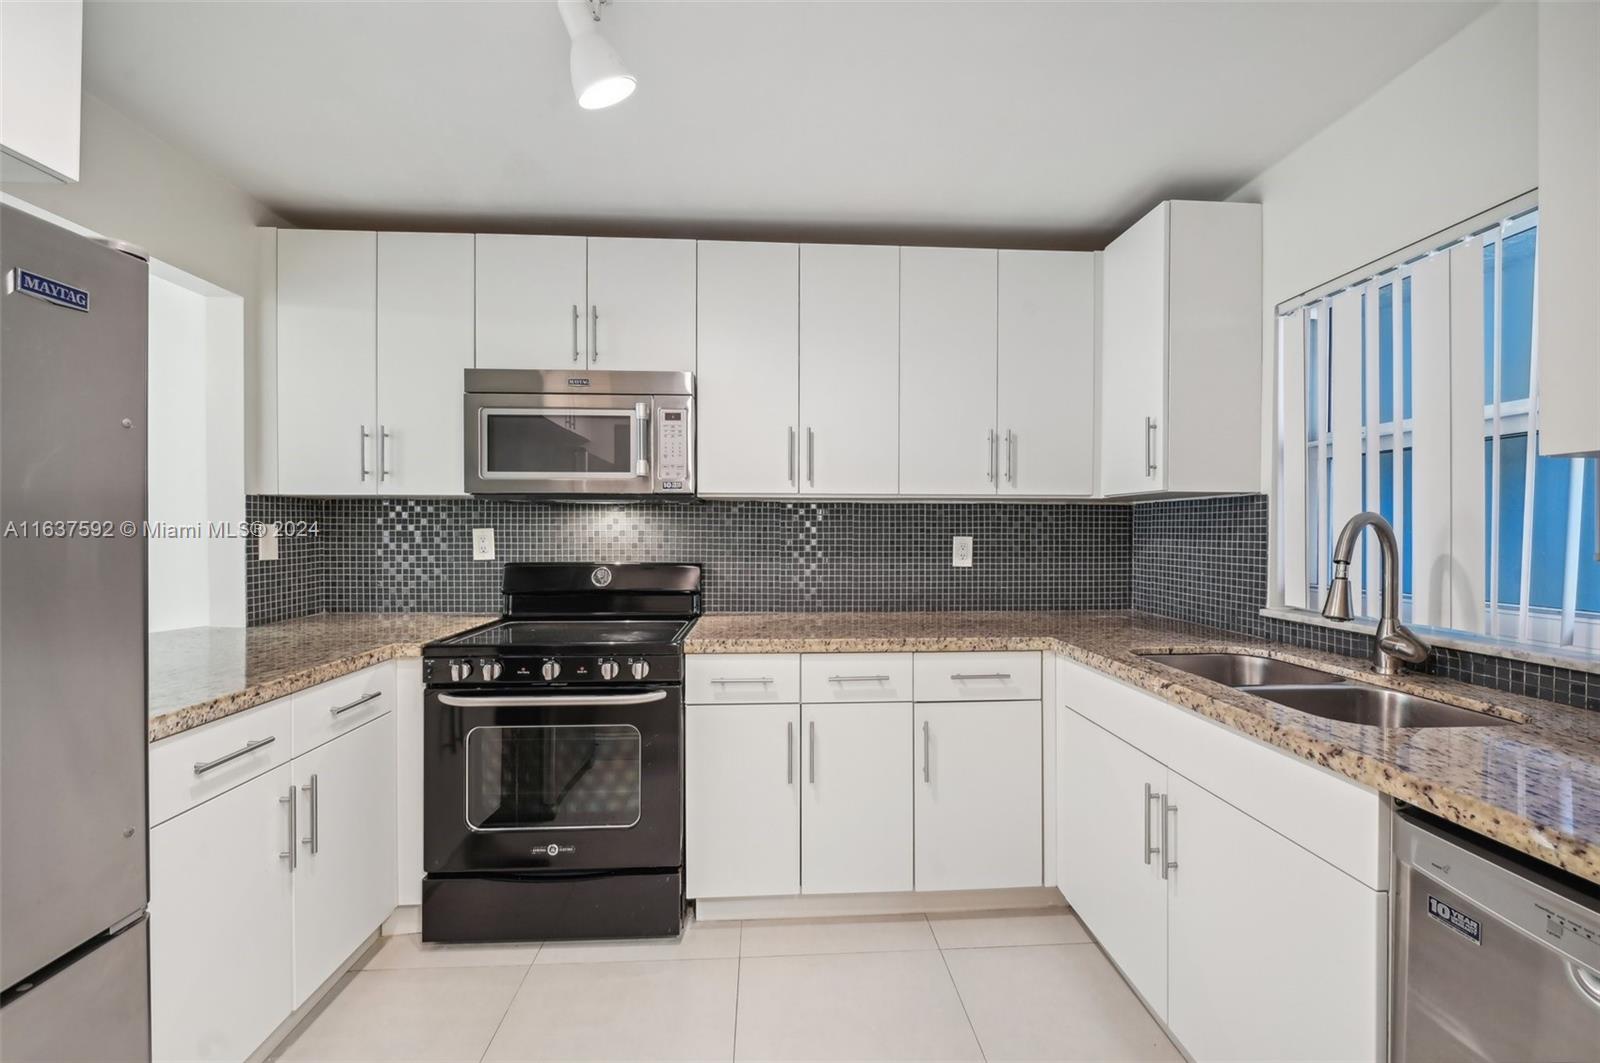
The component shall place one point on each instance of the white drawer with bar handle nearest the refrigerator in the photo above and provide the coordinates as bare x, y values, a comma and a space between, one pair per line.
260, 737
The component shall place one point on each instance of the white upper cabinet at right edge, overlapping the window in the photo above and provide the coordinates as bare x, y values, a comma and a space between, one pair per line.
1569, 222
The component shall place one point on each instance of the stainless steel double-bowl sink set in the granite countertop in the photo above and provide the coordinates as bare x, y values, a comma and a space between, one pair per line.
1324, 694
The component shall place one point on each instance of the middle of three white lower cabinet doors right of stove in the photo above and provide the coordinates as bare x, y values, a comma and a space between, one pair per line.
857, 803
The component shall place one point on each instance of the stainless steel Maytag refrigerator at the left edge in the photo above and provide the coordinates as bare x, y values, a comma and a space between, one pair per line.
73, 648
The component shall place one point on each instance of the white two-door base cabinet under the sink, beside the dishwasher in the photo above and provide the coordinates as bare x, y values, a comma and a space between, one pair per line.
1225, 878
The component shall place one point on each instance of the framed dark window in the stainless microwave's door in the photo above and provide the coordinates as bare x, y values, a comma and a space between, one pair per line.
561, 443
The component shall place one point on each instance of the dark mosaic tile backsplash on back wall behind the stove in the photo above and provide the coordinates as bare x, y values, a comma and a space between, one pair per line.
393, 555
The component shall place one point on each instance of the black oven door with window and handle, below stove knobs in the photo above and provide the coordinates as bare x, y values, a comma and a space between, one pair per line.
553, 780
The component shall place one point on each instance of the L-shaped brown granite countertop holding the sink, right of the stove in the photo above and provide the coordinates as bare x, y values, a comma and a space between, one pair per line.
1534, 787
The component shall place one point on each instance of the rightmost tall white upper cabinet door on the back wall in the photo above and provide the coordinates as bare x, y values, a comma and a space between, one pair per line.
1047, 374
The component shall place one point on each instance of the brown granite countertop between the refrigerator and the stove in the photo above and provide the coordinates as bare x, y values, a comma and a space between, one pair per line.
202, 675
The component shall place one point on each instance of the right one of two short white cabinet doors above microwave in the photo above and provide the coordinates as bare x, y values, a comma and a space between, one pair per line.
642, 305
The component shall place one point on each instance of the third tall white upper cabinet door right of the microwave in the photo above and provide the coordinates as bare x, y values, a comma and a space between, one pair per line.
948, 372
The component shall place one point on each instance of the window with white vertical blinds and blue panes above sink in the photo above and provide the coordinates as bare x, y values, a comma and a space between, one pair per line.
1412, 391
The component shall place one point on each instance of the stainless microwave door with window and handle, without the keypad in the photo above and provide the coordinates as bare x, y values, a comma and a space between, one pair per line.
521, 444
